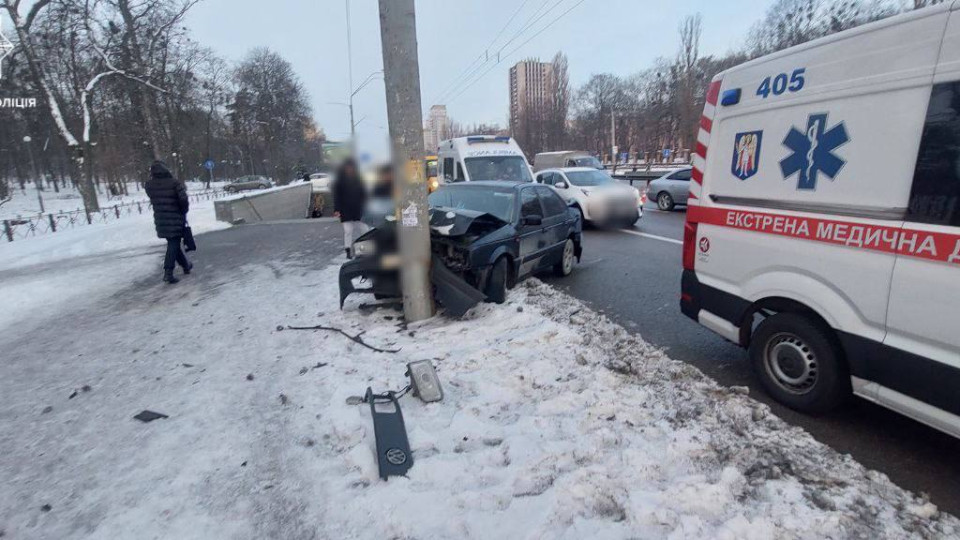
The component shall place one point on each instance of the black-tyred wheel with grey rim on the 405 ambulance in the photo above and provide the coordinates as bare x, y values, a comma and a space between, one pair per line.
799, 363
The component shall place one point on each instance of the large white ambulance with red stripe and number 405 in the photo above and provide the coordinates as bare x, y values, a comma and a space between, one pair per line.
823, 226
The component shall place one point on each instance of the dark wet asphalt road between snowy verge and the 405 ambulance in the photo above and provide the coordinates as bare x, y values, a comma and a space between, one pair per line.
633, 276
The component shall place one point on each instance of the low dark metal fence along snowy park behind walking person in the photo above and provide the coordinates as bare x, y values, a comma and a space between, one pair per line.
20, 228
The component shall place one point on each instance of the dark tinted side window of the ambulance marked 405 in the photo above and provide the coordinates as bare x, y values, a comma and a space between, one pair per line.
935, 195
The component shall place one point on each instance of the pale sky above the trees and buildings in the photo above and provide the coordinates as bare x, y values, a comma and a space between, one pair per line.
598, 36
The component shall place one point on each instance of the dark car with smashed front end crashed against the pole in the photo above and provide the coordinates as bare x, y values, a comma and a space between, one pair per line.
485, 237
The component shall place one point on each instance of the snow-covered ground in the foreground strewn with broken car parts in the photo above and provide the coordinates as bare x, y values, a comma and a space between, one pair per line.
556, 423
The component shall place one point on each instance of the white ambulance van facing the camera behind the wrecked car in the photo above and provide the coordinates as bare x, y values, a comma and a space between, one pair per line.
482, 157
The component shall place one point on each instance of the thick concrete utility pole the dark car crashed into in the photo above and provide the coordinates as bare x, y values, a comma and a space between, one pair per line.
401, 74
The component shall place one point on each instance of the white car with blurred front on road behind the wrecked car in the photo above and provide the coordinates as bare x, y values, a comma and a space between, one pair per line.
598, 197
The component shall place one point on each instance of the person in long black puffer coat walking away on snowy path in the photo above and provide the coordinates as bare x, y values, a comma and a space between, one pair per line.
168, 196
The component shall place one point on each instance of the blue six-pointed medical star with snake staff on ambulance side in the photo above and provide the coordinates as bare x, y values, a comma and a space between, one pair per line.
813, 151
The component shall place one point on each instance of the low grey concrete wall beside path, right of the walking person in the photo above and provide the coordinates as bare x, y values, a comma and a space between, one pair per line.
286, 202
